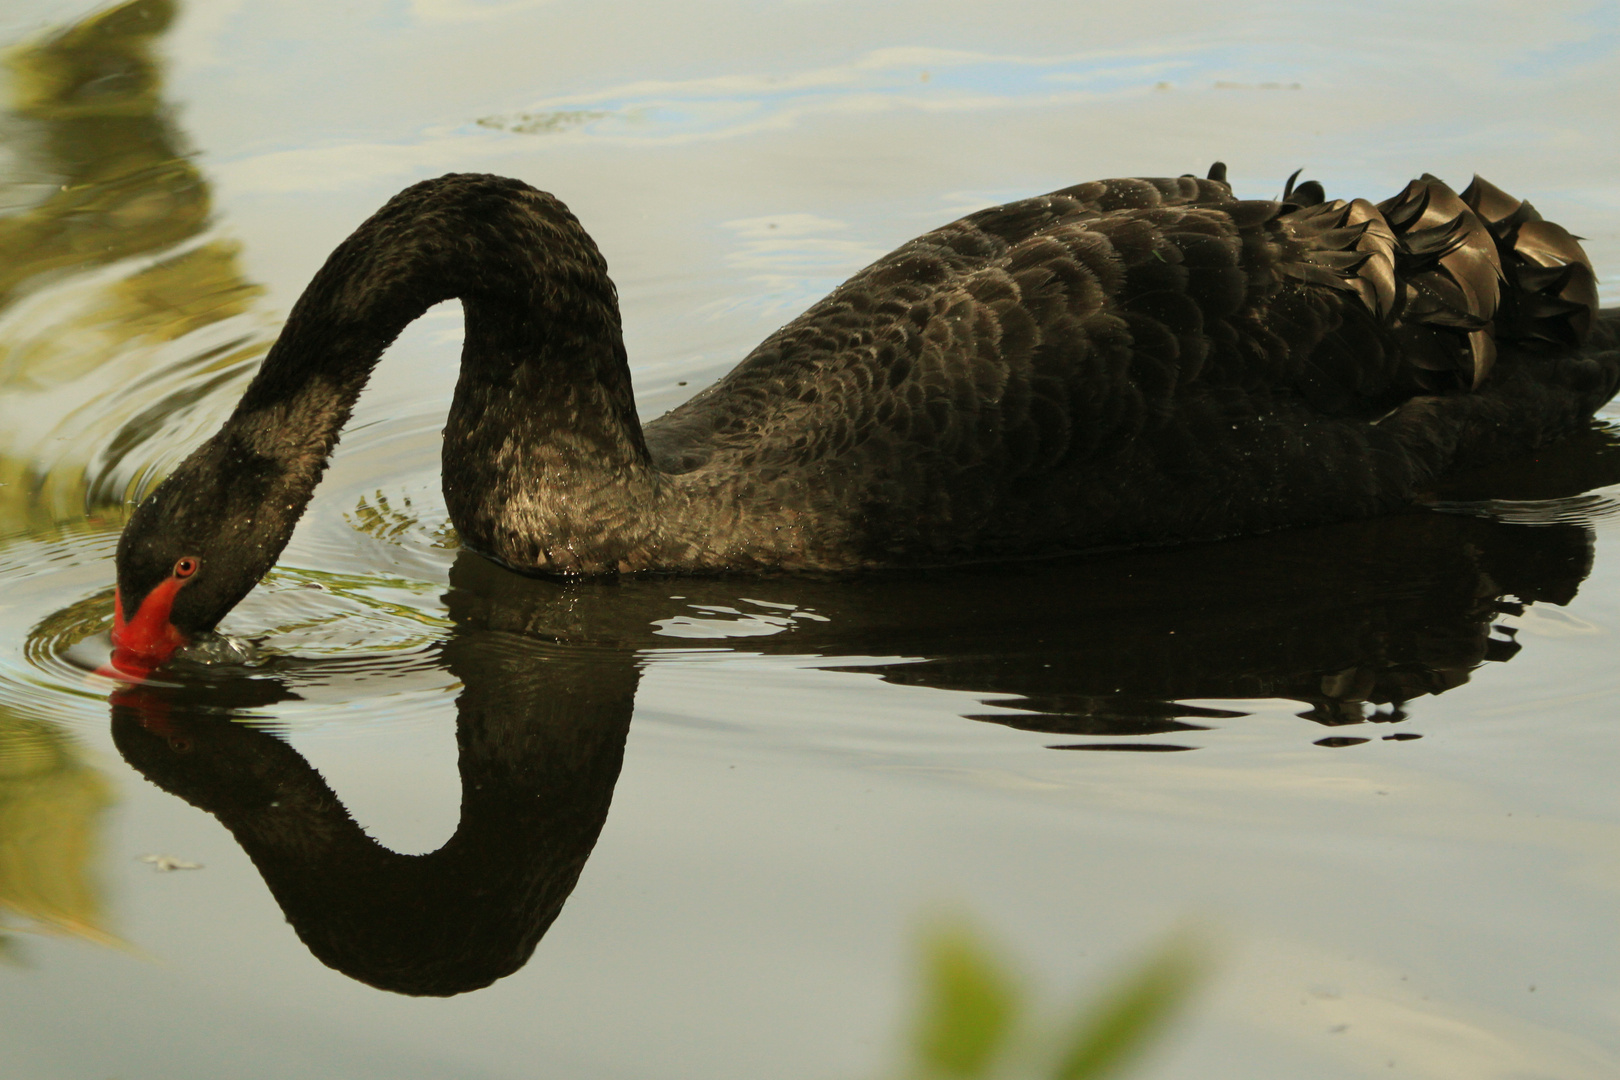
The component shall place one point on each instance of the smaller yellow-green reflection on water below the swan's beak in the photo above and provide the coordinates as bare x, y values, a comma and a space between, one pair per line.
51, 810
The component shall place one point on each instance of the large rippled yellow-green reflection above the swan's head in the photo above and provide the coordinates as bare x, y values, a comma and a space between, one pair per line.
104, 261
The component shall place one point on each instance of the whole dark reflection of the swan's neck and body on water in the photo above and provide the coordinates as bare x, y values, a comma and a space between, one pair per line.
1354, 623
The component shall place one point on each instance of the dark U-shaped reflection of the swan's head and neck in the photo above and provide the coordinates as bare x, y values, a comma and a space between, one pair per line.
540, 742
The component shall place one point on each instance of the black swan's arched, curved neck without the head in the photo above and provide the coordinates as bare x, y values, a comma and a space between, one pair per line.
544, 425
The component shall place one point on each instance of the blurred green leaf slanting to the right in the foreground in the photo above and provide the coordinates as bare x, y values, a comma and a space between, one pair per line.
1135, 1013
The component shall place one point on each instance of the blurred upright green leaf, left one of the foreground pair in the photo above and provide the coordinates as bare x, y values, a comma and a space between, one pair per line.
970, 1006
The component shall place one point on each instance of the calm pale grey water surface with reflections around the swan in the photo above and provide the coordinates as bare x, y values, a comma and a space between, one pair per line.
1384, 752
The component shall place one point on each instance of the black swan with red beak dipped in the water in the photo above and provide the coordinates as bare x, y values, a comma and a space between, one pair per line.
1117, 364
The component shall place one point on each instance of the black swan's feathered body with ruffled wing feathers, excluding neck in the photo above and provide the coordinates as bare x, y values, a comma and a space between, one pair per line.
1136, 360
